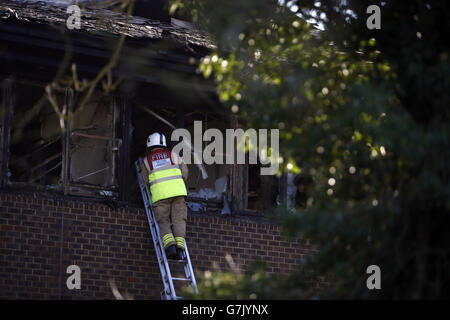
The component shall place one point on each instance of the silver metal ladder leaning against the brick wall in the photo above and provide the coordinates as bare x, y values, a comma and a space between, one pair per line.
168, 292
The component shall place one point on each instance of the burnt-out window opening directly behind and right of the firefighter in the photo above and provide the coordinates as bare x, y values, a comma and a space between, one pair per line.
228, 186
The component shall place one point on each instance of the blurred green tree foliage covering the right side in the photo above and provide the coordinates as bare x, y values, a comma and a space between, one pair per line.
366, 114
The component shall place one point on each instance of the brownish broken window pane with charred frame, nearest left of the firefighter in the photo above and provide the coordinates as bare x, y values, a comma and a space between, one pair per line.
93, 148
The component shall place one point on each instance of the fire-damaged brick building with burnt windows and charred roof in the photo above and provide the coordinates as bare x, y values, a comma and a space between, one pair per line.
69, 194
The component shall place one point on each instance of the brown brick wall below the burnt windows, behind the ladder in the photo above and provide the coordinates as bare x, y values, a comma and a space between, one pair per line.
115, 244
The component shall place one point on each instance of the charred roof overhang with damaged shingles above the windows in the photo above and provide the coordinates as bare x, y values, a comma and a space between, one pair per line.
34, 40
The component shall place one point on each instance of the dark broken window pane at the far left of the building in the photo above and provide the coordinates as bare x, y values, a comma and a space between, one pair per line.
34, 157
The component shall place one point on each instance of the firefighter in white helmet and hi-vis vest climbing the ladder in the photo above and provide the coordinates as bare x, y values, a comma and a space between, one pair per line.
165, 172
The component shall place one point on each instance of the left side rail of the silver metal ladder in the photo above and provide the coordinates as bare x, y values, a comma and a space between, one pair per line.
156, 236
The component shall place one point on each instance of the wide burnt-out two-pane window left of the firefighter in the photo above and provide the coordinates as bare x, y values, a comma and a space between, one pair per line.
80, 155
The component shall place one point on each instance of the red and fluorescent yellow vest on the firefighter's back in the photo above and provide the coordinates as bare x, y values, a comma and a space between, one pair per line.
164, 177
